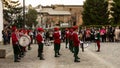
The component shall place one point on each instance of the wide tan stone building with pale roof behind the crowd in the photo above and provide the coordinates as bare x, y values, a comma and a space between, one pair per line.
60, 15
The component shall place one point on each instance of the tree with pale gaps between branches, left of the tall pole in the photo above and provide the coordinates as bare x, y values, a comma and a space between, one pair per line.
11, 11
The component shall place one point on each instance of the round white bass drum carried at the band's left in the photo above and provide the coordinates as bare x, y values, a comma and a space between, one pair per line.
24, 40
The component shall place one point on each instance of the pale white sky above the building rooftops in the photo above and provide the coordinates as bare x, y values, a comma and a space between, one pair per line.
49, 2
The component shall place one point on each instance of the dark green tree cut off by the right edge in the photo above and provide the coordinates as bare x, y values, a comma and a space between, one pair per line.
115, 12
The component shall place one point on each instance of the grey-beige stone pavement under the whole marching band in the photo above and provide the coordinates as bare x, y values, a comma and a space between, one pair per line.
107, 58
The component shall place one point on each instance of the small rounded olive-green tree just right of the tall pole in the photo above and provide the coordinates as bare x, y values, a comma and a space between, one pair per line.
31, 17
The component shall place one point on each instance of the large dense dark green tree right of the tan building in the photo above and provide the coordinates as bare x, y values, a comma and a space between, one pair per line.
95, 12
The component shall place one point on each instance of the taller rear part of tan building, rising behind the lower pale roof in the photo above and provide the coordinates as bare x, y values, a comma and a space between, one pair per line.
75, 10
